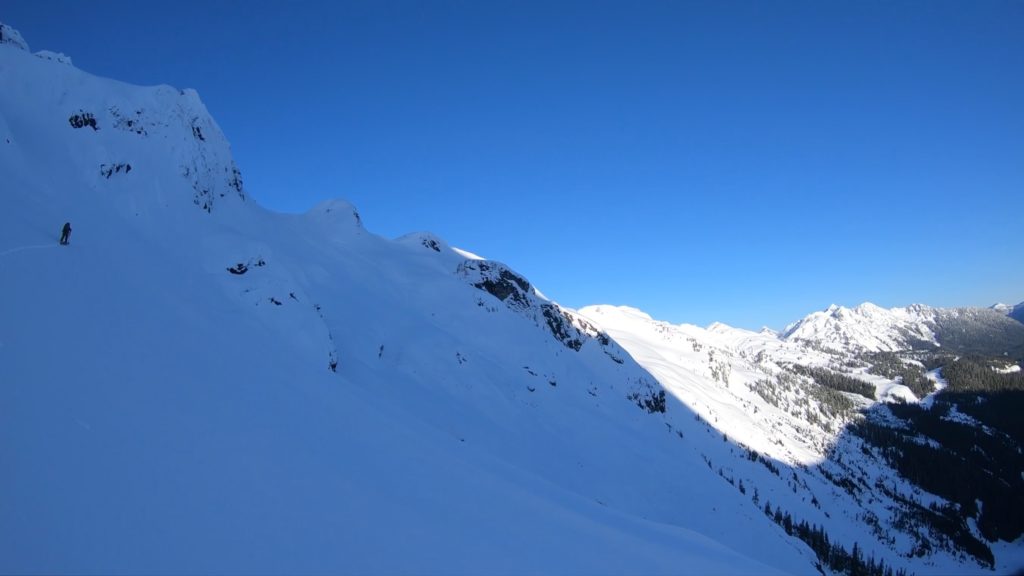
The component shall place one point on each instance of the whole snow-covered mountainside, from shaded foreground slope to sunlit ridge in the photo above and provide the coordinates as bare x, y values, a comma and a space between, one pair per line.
196, 385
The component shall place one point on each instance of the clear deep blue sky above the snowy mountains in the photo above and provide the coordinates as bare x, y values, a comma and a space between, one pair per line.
744, 162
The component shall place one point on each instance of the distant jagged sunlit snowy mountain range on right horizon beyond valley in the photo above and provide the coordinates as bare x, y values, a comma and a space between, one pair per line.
869, 328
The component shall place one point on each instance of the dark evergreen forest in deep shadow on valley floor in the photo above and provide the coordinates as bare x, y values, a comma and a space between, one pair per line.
976, 457
